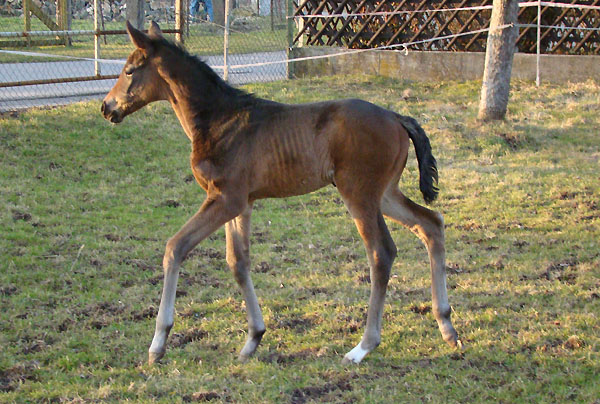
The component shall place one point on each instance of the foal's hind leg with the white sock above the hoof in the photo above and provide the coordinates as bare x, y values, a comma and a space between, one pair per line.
381, 252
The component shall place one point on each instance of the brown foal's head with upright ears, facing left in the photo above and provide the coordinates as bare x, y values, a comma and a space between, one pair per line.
139, 83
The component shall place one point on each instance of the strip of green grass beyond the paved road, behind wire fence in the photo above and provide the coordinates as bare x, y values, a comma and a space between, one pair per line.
204, 39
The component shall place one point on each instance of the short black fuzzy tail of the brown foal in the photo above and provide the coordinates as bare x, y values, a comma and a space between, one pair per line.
428, 176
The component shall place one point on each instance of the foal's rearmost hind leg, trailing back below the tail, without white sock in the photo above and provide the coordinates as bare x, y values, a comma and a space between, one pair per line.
429, 227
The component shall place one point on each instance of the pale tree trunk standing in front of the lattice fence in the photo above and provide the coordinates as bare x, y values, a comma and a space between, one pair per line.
498, 60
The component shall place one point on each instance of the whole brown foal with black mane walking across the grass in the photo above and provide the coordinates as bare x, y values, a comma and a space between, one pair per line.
245, 148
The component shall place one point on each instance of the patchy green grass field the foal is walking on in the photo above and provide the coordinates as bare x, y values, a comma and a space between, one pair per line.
87, 208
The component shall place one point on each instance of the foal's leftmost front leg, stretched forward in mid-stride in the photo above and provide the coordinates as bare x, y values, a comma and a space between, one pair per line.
213, 214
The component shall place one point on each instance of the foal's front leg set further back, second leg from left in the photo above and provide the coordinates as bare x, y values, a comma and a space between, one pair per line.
237, 233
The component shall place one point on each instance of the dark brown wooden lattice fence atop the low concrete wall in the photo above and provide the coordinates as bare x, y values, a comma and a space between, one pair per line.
355, 24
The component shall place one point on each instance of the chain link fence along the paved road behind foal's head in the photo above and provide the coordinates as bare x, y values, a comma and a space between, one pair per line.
46, 64
